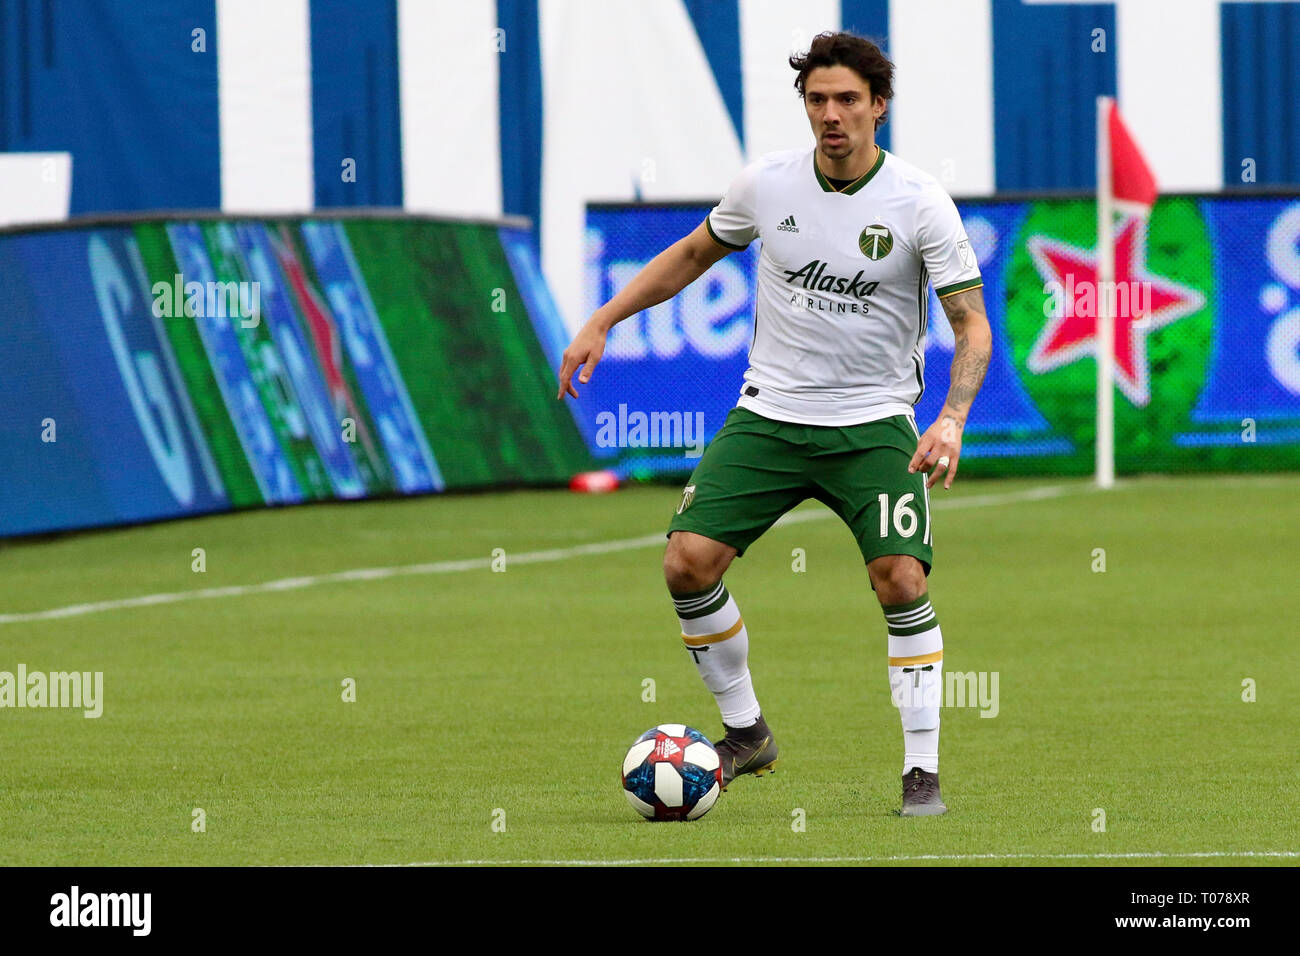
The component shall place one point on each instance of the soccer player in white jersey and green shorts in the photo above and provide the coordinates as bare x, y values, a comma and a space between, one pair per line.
852, 236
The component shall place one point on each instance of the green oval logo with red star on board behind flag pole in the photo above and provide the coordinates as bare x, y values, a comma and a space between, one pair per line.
1164, 323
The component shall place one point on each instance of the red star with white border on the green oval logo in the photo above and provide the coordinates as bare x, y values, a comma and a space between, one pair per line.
1143, 304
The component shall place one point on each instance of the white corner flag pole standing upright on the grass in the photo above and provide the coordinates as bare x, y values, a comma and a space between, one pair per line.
1106, 338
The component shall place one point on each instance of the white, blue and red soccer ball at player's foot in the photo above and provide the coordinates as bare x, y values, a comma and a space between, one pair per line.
673, 773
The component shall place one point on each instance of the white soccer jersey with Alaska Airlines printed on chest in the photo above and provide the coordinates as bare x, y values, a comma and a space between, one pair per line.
840, 315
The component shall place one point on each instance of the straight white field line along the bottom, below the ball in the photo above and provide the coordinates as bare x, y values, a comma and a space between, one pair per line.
924, 858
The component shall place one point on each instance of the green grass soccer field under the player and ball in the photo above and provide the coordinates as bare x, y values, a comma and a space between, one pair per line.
519, 691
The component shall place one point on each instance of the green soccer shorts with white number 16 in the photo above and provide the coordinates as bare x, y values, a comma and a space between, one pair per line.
757, 469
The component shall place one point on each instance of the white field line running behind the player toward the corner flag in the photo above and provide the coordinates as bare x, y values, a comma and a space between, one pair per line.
374, 574
